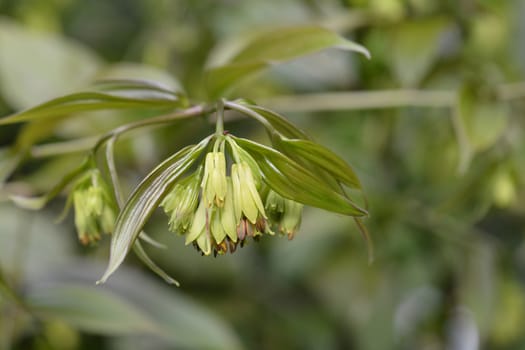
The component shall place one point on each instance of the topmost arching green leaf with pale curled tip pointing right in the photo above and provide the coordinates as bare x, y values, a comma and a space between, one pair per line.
276, 46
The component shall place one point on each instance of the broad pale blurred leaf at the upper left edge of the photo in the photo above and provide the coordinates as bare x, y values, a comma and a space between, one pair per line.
36, 66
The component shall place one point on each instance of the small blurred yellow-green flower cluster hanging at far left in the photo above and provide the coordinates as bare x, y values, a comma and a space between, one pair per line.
95, 210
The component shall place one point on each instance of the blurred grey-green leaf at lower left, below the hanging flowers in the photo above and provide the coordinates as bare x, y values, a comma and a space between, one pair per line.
89, 309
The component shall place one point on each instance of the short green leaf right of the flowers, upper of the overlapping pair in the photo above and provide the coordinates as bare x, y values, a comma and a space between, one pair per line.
311, 153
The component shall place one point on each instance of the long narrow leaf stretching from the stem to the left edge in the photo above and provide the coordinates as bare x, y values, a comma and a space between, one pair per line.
103, 96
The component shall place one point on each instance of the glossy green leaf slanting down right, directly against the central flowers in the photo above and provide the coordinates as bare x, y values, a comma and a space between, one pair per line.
297, 183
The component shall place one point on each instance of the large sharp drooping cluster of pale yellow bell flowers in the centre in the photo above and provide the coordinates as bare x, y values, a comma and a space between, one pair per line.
219, 207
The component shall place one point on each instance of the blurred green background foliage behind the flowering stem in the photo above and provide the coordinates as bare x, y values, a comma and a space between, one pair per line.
433, 124
